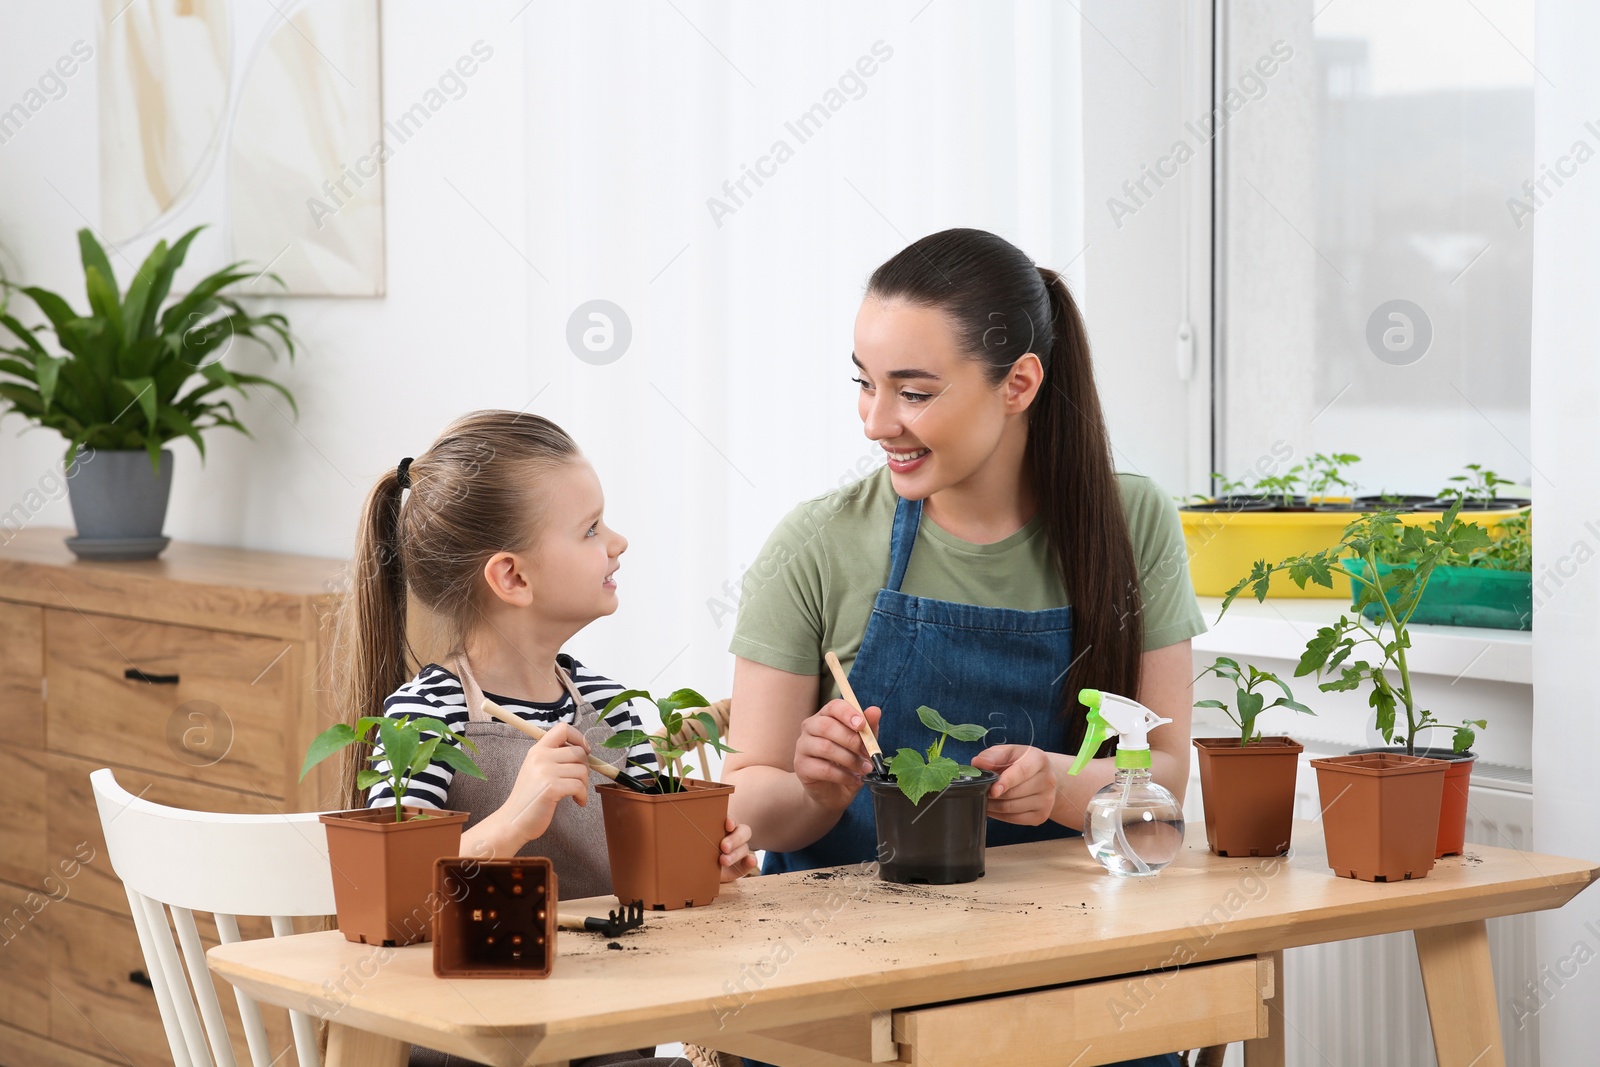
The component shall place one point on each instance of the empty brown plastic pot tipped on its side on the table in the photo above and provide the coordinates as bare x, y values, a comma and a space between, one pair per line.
497, 917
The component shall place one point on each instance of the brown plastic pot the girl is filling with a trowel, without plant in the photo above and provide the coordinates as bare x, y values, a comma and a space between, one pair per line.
666, 849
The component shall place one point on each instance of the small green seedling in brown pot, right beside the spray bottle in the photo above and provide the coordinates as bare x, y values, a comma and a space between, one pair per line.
1249, 781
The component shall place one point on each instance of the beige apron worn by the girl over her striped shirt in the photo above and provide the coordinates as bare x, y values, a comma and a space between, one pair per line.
575, 841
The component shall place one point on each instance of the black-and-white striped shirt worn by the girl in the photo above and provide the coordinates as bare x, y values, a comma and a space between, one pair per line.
438, 693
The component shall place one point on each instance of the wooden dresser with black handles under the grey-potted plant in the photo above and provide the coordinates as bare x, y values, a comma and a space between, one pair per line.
199, 679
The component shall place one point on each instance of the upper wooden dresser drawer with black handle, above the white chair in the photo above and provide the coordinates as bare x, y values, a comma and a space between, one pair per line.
188, 703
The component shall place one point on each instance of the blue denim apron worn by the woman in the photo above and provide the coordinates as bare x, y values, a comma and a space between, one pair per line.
998, 668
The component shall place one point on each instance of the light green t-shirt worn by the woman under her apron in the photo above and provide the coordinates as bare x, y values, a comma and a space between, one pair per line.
814, 585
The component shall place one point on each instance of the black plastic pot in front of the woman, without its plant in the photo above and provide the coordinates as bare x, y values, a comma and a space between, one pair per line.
937, 842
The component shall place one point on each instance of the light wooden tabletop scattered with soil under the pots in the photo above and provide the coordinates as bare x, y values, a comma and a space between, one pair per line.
807, 948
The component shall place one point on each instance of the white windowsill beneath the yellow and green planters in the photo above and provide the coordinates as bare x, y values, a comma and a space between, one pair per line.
1281, 628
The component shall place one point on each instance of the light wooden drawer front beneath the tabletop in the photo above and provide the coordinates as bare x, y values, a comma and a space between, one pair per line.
1094, 1023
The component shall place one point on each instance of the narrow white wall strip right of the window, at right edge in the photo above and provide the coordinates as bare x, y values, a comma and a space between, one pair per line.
1567, 497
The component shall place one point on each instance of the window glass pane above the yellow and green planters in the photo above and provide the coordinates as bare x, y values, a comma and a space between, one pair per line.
1375, 238
